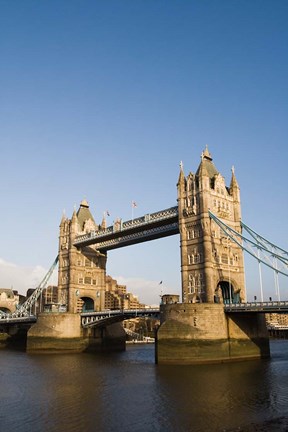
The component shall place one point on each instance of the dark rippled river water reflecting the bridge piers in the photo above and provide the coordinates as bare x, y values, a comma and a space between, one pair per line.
127, 392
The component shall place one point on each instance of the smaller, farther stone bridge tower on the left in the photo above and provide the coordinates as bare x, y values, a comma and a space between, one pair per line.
82, 272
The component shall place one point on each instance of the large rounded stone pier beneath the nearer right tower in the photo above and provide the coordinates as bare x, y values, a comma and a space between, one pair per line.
202, 333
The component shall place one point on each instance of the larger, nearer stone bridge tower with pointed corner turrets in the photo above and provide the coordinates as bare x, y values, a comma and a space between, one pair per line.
212, 266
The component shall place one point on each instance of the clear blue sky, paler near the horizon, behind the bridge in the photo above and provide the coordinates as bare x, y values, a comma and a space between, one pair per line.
102, 100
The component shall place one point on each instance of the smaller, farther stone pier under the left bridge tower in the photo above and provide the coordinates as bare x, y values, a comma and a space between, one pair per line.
62, 332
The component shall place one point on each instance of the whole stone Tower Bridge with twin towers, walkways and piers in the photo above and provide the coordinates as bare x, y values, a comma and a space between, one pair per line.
213, 315
